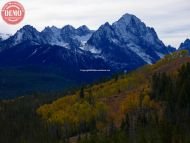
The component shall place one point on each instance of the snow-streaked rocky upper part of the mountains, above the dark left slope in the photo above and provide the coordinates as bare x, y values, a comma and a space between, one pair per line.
124, 45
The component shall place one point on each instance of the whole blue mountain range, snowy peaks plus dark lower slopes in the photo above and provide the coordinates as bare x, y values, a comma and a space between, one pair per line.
121, 47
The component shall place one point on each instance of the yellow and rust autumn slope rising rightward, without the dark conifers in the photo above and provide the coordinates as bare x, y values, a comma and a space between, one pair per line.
101, 105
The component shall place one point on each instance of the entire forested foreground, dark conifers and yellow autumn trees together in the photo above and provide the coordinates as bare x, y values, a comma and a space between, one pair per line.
149, 105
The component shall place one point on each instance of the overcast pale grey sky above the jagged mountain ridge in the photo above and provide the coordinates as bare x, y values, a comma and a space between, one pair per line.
170, 18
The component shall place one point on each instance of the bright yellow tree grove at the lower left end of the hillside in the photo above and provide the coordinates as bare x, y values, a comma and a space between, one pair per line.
72, 110
